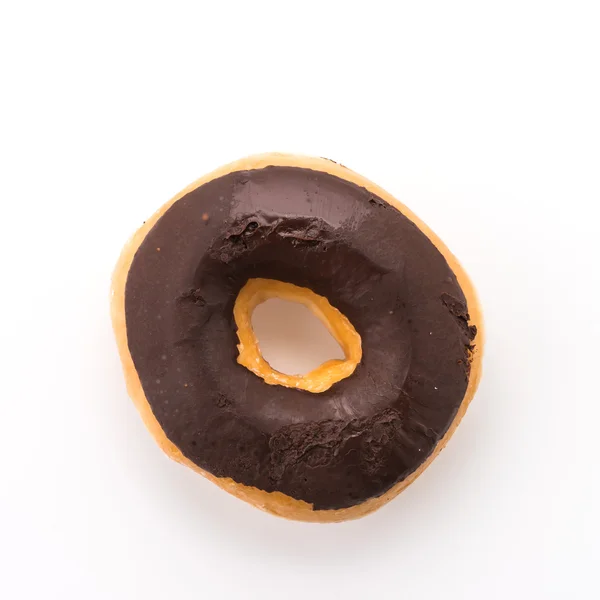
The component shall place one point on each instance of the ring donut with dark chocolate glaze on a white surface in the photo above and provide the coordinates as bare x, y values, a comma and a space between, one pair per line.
340, 441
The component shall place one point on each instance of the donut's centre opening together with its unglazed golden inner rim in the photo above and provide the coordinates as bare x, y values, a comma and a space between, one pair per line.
289, 335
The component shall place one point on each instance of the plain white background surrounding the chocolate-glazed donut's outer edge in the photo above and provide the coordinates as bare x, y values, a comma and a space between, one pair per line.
483, 117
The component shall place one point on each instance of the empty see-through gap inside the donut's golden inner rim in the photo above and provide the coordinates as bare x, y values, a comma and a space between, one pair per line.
291, 338
